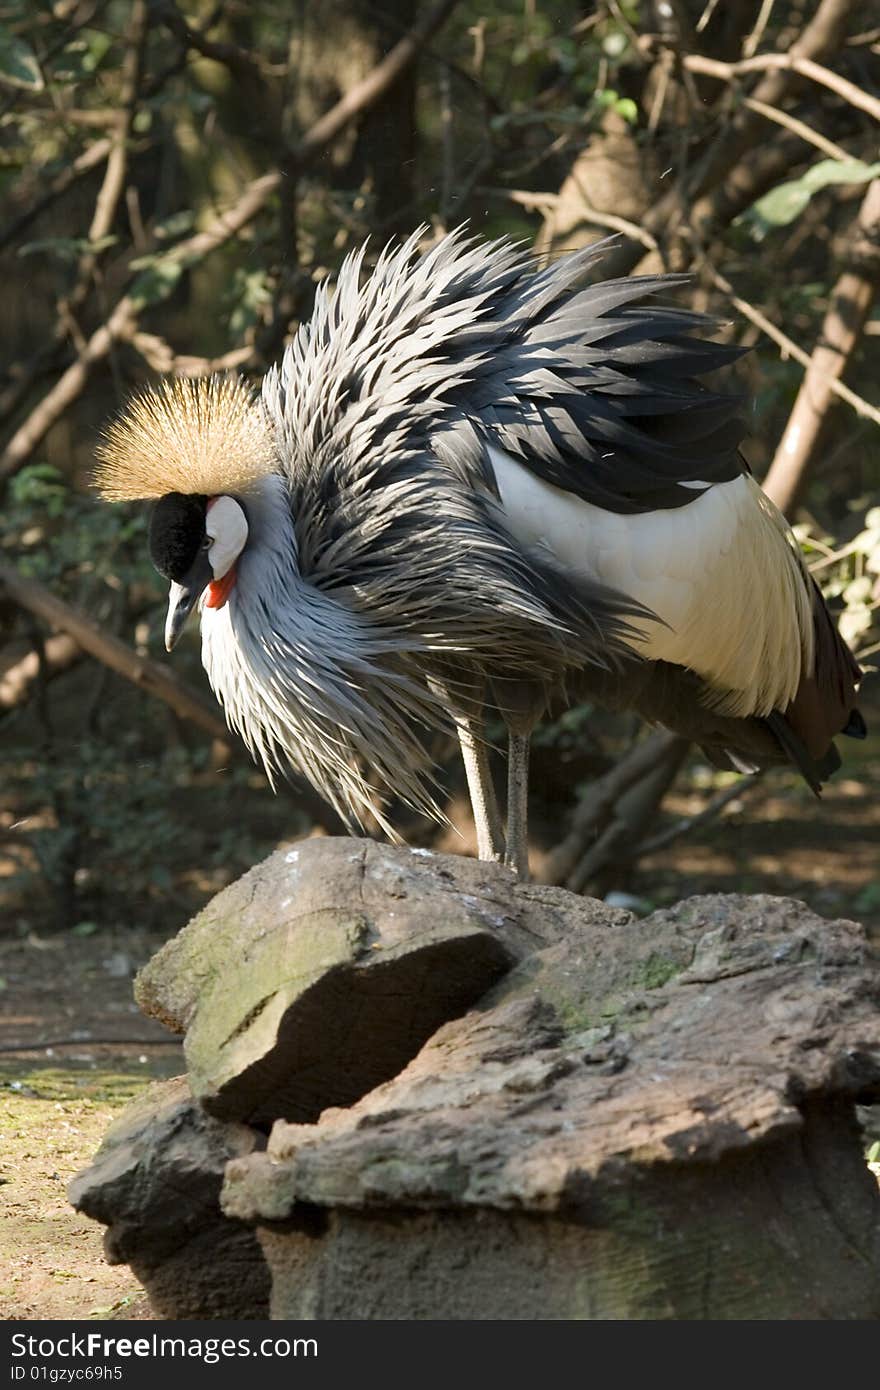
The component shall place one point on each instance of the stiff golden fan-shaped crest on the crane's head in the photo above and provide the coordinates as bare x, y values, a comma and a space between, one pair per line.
199, 436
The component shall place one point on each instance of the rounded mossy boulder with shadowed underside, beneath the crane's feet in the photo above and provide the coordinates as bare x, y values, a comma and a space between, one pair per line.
323, 971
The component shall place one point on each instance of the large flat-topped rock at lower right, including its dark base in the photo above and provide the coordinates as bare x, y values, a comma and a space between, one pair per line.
649, 1120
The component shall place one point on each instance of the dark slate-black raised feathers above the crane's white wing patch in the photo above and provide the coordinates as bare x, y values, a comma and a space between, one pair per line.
598, 393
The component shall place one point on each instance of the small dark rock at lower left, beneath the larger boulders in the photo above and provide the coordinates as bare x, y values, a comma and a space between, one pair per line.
155, 1184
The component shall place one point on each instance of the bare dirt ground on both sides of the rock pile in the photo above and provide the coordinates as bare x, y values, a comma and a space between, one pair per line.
74, 1049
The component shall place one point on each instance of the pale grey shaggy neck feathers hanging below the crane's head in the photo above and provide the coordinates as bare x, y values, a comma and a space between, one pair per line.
308, 683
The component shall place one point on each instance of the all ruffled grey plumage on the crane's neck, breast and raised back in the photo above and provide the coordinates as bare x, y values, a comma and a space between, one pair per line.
400, 569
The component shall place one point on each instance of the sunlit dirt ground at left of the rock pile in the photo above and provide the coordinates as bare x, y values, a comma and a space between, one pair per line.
81, 1053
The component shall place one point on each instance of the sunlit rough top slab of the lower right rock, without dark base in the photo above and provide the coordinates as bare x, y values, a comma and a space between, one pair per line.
675, 1039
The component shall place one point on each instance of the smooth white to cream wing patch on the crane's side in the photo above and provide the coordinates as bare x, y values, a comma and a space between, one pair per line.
722, 575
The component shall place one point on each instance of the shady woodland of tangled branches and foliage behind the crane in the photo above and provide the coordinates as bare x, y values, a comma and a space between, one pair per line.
176, 180
